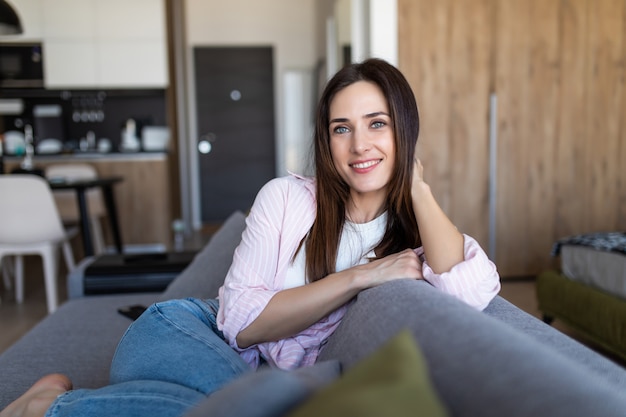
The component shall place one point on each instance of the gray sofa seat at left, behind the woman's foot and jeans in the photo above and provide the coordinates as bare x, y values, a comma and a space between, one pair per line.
78, 340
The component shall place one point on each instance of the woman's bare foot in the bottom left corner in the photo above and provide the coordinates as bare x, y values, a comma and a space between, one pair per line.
39, 397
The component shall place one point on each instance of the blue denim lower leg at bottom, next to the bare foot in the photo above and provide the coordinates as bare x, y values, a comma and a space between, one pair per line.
128, 399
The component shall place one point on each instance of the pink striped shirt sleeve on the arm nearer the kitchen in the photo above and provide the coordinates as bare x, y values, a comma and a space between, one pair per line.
259, 264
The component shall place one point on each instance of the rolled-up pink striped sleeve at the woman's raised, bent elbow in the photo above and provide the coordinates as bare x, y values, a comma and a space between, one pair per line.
474, 281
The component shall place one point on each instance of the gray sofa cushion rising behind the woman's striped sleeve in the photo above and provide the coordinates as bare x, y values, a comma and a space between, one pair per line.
206, 273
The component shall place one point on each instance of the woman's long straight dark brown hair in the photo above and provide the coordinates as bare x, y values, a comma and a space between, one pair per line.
333, 193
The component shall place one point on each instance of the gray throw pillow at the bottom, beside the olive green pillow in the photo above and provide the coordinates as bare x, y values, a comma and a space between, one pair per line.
269, 392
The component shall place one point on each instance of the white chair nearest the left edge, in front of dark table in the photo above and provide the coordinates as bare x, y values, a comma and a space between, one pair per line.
30, 225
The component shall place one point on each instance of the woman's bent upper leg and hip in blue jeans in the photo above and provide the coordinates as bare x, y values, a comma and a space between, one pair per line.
178, 342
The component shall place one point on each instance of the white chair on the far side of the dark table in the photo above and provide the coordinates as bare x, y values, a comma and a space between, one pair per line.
66, 199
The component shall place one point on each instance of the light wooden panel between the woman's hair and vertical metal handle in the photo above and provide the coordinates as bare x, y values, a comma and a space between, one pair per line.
446, 53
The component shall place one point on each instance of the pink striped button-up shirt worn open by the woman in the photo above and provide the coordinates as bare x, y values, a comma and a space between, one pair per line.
282, 214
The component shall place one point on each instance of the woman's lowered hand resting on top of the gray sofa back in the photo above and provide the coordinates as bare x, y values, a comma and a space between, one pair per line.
405, 264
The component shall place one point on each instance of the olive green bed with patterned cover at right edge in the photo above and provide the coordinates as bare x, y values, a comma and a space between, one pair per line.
588, 292
